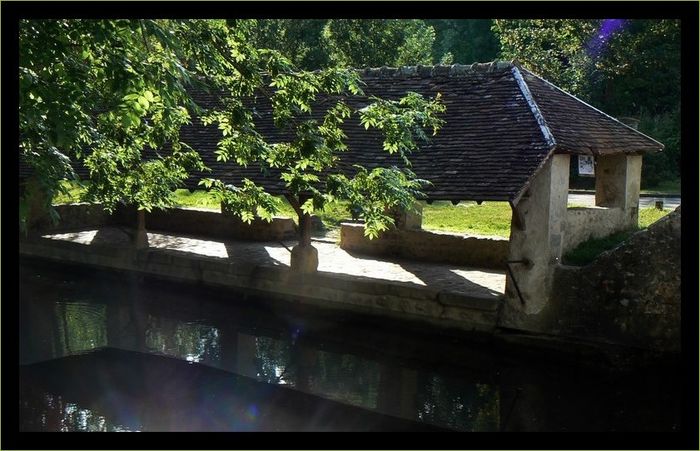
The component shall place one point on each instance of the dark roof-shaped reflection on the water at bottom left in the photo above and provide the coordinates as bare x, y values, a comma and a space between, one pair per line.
126, 390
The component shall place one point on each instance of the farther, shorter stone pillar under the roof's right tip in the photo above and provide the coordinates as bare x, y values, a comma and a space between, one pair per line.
617, 184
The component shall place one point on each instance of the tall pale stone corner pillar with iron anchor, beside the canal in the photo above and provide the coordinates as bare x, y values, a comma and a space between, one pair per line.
536, 235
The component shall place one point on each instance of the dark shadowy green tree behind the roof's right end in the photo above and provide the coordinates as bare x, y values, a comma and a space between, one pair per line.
639, 75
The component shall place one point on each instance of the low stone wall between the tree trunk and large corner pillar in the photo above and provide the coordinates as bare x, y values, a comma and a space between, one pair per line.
427, 246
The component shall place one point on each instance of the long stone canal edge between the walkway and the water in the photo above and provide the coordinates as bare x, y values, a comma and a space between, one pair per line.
397, 300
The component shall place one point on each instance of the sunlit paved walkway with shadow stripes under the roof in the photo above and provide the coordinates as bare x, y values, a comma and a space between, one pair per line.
332, 259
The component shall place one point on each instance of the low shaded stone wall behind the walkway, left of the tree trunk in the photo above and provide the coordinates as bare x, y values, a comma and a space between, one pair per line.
178, 220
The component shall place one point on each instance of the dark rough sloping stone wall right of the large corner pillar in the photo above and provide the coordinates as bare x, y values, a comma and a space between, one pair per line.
630, 295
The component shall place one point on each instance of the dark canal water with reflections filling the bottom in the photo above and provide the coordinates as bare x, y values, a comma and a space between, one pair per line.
107, 351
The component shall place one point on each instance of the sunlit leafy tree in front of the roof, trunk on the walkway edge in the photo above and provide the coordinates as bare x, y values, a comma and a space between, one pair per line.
307, 161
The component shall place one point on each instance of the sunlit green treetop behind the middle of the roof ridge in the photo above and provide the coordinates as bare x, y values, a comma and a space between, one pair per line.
378, 42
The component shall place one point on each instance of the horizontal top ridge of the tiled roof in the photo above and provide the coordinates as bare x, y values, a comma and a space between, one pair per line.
451, 70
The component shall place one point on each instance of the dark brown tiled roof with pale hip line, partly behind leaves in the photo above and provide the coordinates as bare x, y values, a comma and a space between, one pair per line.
502, 123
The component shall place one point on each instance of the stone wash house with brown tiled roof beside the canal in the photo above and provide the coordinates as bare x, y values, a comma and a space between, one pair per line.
509, 136
